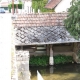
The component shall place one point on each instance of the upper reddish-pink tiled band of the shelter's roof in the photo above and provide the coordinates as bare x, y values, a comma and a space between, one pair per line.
41, 19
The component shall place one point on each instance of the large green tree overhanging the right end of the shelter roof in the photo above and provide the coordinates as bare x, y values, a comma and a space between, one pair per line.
72, 22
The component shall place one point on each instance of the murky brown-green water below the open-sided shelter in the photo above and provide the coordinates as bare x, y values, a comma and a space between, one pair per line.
57, 72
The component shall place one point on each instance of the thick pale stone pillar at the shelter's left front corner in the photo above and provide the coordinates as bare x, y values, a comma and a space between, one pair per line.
23, 65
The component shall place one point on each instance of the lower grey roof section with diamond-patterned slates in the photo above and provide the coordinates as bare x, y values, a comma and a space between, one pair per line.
42, 35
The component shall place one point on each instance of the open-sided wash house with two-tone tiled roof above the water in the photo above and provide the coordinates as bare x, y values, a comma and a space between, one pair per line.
44, 34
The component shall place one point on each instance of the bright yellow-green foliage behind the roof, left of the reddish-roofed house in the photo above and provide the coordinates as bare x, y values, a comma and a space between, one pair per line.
40, 4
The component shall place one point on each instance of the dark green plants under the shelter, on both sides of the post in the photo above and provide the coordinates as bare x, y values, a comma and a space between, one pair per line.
44, 60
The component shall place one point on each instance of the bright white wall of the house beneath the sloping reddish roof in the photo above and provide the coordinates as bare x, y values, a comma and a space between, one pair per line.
63, 5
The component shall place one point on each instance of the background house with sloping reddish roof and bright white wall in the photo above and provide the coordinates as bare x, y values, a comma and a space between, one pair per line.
58, 5
